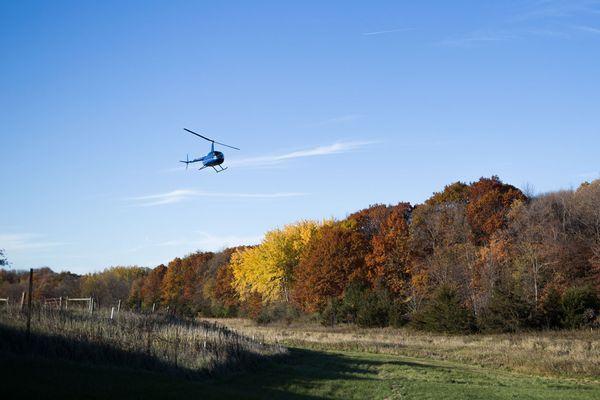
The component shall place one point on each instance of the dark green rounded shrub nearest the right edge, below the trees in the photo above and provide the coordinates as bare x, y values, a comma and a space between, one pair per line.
579, 305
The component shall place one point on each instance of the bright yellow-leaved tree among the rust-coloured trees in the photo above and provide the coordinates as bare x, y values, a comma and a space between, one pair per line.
267, 269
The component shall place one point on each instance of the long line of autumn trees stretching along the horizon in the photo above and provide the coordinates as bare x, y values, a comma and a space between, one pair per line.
474, 257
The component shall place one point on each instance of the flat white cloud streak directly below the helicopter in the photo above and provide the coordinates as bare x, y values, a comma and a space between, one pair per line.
177, 196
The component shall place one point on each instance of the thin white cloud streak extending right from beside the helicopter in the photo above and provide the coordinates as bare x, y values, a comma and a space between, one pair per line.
335, 148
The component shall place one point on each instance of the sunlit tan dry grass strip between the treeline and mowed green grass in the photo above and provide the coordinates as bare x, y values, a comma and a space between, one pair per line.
574, 354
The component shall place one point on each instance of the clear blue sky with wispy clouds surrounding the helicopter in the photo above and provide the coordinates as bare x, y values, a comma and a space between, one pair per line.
335, 104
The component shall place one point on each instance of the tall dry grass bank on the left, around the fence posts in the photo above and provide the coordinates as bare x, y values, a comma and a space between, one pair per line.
149, 341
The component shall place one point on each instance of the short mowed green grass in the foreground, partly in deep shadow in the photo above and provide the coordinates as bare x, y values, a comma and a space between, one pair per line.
305, 374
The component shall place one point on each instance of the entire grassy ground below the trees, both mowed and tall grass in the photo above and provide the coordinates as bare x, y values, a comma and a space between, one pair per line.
95, 358
